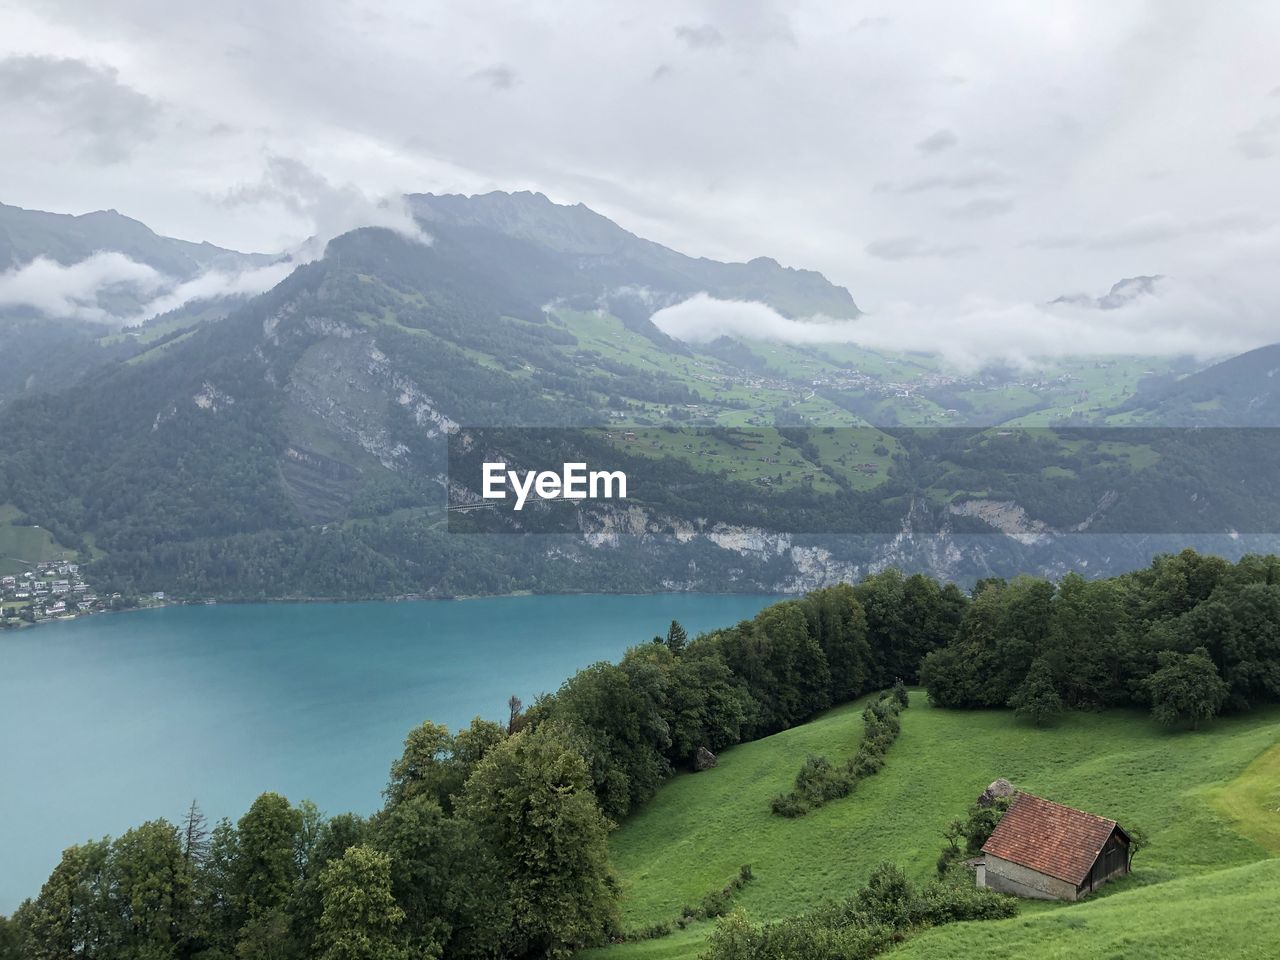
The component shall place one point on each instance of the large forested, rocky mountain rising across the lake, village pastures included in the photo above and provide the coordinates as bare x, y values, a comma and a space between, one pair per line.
298, 447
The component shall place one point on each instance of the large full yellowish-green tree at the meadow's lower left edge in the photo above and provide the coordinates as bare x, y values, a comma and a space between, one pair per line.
532, 801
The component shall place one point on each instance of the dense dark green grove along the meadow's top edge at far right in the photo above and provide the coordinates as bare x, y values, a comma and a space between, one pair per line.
1188, 638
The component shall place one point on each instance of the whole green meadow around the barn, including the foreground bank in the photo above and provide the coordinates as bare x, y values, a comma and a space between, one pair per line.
1209, 801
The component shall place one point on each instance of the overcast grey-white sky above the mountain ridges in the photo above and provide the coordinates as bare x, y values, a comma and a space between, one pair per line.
948, 162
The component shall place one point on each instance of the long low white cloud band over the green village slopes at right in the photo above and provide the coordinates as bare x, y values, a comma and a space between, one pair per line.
1169, 322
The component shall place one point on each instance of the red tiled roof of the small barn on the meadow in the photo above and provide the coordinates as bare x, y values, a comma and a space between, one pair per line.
1059, 842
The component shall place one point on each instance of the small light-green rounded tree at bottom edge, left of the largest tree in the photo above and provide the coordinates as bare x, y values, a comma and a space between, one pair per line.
362, 920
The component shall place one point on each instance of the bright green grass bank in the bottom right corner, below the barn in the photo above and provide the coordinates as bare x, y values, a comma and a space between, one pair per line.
1224, 915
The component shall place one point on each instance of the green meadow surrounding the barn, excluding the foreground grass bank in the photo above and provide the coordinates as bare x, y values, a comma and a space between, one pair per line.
693, 836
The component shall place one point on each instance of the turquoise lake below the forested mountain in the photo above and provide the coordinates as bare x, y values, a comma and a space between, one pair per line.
111, 721
